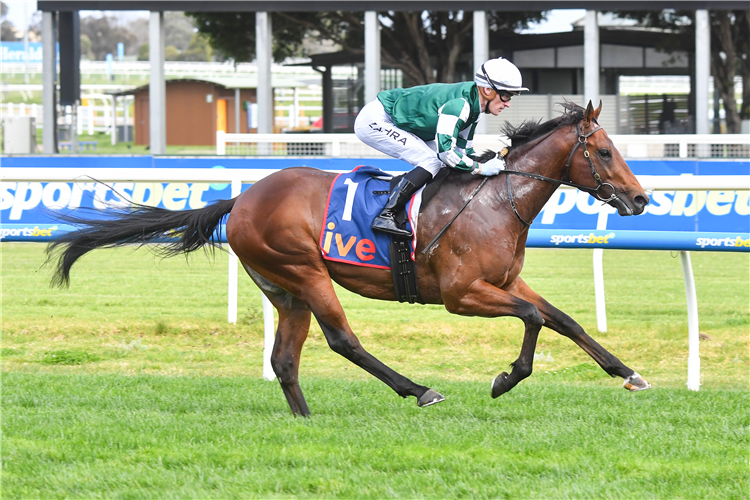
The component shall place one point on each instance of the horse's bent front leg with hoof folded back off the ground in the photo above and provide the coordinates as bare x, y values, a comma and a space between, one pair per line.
483, 299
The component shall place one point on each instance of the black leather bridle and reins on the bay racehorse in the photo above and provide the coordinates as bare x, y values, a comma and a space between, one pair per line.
582, 141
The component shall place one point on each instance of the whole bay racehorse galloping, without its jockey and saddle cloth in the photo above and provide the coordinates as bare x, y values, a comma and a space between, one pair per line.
274, 227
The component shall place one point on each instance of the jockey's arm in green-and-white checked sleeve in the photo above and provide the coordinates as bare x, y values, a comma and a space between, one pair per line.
453, 138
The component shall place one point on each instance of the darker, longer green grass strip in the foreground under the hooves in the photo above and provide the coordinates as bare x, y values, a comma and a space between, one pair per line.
113, 436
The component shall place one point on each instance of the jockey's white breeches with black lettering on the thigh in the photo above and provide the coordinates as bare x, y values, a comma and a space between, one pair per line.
376, 129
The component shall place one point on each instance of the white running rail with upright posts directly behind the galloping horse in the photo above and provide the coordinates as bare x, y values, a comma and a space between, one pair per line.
237, 176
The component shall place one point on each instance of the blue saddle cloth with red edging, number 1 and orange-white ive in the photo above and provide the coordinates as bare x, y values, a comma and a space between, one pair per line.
352, 204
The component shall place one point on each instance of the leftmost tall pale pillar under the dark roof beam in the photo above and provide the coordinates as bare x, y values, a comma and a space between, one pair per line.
49, 83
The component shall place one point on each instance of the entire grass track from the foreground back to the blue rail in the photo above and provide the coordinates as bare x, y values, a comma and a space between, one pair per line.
131, 384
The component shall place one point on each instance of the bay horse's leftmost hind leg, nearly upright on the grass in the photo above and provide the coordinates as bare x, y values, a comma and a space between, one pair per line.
294, 325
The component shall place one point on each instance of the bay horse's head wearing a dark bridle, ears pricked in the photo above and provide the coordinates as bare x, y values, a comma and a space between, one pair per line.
596, 164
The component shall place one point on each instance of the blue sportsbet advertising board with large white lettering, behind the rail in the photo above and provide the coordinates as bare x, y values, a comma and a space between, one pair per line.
29, 204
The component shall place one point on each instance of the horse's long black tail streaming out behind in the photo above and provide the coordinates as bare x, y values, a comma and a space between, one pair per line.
137, 225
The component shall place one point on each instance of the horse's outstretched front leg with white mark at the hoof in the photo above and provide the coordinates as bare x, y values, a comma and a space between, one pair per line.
563, 324
